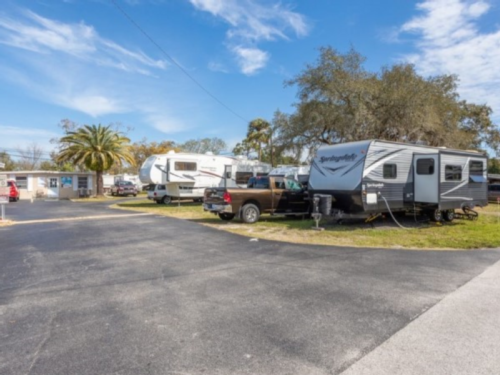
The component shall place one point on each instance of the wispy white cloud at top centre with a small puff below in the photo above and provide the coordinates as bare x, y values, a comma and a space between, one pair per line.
252, 22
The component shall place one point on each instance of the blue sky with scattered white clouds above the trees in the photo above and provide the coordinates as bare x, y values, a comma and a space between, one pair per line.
84, 60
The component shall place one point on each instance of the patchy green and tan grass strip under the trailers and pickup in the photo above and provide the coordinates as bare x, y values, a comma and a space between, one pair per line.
460, 234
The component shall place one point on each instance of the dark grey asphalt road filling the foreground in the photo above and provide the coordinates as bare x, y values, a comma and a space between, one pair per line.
132, 294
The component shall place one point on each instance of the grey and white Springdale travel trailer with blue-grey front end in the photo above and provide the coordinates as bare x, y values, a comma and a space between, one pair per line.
374, 176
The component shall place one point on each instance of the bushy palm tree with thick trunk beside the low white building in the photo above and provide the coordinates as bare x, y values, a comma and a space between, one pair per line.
97, 148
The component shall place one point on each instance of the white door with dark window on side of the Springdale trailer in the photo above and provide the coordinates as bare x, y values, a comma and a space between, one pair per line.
426, 178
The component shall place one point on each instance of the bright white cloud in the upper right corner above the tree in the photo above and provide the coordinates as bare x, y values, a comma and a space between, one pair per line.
449, 41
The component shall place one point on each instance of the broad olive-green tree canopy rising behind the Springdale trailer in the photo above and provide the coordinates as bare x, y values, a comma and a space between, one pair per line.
340, 101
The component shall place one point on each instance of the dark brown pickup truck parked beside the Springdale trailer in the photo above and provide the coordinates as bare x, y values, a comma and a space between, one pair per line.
273, 195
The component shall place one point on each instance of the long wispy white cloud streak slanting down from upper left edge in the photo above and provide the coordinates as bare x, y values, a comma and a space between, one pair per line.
46, 36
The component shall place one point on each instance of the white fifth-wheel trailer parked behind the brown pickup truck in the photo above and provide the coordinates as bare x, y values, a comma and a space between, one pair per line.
187, 175
